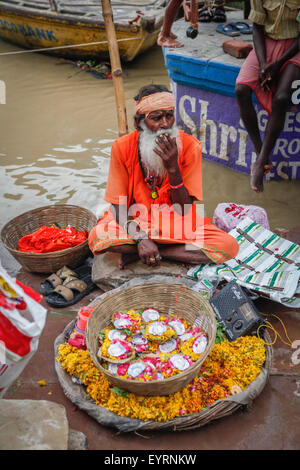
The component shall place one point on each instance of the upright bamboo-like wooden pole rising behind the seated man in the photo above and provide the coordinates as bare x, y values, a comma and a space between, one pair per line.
116, 68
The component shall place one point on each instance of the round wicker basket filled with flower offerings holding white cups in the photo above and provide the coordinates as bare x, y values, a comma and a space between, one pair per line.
151, 339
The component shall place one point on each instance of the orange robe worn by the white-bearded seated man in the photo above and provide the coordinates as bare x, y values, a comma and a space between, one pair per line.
155, 216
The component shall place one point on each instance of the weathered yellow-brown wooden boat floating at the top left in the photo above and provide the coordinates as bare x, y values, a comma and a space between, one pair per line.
75, 28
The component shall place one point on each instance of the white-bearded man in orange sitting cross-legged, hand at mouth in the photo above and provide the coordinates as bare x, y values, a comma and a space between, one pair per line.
153, 186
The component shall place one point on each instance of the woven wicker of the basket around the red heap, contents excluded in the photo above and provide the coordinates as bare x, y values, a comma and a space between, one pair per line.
24, 224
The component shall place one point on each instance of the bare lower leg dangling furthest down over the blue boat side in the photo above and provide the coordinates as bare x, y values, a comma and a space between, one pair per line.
275, 124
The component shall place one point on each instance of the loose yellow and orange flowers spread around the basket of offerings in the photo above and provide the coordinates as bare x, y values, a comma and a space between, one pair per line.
230, 366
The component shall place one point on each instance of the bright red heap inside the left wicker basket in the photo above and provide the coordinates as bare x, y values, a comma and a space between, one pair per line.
48, 239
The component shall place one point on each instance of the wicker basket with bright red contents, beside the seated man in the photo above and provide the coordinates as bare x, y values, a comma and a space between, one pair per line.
44, 240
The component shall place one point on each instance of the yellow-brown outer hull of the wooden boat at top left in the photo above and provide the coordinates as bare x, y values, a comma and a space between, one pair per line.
51, 33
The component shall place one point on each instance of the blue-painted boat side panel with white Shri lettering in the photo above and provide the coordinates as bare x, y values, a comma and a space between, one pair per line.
214, 119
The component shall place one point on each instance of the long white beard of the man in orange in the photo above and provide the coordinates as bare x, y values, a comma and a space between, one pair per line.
151, 161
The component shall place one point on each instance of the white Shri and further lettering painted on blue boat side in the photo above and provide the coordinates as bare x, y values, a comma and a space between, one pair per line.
230, 143
